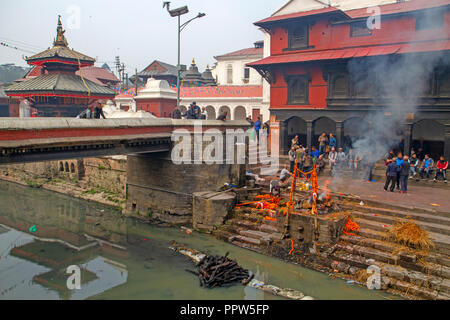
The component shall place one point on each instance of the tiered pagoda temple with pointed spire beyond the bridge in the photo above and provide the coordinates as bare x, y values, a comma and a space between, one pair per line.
60, 90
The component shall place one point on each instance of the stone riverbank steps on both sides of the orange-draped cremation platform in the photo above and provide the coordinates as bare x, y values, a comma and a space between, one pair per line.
404, 271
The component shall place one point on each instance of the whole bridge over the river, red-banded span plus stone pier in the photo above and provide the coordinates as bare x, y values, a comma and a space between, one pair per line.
157, 187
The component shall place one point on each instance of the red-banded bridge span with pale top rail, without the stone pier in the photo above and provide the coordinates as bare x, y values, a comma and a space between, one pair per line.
43, 139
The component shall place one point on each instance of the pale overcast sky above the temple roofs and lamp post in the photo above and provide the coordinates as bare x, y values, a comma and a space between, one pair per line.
139, 31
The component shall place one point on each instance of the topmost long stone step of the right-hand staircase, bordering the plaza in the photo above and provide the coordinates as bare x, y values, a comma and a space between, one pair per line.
419, 216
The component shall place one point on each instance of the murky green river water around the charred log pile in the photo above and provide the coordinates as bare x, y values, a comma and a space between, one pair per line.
133, 260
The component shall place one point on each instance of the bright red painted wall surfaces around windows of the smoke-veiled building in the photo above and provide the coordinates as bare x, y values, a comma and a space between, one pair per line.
324, 36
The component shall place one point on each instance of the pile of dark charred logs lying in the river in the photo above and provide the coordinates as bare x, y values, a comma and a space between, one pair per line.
216, 271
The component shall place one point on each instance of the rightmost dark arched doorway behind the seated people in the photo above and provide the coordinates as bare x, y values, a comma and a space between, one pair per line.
428, 135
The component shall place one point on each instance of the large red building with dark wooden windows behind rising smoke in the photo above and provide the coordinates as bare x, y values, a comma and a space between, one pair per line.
331, 71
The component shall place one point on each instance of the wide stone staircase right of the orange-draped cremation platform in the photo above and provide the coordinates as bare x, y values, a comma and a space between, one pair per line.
403, 271
